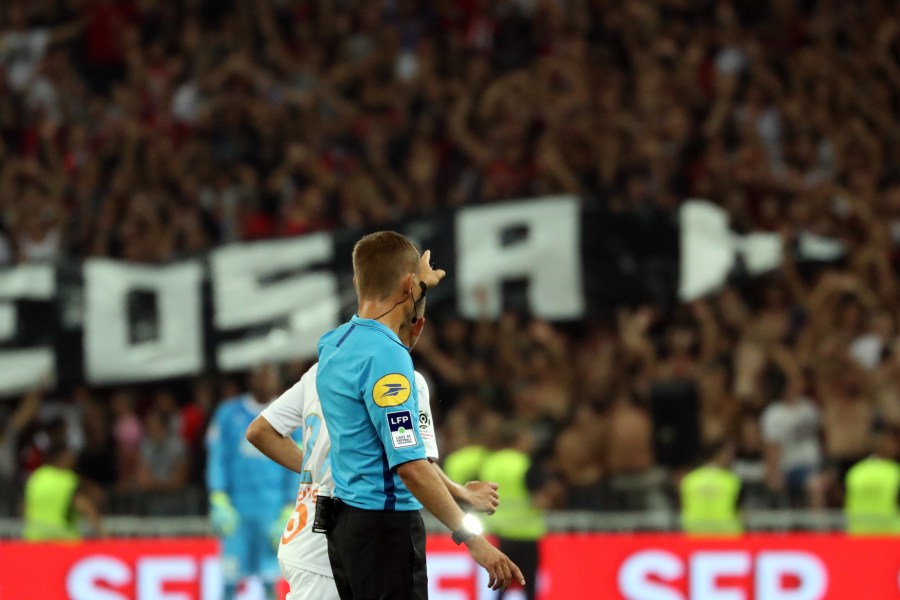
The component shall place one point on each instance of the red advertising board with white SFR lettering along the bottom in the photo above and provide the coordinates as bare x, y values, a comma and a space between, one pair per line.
573, 567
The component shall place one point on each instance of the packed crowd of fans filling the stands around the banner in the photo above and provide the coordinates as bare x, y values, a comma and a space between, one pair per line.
146, 130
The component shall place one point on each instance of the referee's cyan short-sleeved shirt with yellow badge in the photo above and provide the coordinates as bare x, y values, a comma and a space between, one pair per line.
371, 408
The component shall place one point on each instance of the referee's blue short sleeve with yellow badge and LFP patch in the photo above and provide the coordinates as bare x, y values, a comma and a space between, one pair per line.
393, 405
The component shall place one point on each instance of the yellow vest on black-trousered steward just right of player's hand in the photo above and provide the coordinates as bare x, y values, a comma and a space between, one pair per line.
516, 518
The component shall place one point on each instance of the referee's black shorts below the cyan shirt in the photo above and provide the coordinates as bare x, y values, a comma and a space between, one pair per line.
378, 554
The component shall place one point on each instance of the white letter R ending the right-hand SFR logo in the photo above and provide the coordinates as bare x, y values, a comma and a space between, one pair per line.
772, 566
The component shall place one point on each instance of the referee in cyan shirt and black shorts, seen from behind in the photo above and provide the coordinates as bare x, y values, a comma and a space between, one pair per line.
376, 538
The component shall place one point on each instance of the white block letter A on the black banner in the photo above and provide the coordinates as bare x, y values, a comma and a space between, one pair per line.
549, 256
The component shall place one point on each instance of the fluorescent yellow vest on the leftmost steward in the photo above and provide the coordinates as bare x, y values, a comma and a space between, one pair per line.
48, 505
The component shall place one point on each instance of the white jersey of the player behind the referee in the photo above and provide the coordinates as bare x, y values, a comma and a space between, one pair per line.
299, 407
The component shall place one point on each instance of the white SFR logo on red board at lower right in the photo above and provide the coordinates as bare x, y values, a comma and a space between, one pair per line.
723, 575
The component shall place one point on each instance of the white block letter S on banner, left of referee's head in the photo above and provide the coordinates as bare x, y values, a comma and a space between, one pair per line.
306, 302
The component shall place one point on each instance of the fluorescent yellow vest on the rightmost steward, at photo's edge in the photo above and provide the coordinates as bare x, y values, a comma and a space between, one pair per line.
871, 502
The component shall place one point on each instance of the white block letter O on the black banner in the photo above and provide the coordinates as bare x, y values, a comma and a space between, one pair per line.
110, 356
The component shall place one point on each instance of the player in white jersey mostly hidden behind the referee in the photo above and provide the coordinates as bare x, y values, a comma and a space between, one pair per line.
303, 554
